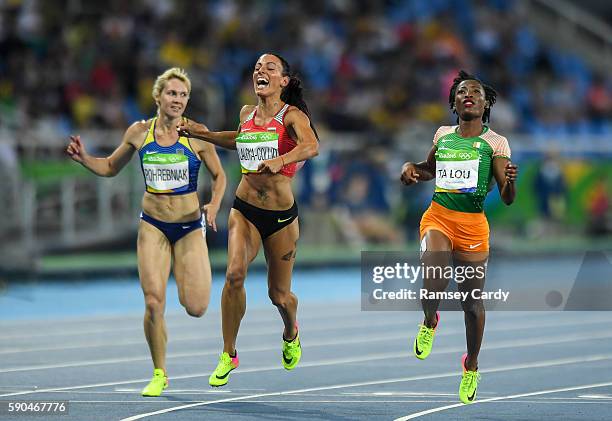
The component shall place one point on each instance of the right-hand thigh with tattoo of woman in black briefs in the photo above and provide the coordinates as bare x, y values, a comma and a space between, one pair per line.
281, 250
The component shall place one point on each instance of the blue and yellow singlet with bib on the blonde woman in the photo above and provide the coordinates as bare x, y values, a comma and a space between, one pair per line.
168, 169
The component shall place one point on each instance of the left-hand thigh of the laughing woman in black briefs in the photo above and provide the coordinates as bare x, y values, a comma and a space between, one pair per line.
243, 243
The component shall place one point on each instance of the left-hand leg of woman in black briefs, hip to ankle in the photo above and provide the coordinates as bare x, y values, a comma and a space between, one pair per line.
244, 242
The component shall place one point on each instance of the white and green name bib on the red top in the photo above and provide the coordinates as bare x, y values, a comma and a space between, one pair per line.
256, 147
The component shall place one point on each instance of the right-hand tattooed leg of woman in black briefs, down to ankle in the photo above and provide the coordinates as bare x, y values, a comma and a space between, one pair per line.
281, 249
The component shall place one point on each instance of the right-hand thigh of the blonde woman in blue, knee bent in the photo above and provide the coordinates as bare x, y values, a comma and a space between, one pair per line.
192, 267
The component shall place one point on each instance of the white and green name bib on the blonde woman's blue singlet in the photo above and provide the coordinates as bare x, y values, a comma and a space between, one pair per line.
166, 172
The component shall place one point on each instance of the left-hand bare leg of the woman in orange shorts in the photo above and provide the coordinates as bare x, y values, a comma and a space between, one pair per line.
435, 258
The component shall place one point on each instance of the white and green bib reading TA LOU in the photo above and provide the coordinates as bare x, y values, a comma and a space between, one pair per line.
456, 170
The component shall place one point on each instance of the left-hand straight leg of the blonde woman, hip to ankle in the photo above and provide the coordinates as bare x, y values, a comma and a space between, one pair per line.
154, 268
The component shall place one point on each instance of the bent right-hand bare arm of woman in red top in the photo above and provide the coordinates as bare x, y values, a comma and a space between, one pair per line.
298, 125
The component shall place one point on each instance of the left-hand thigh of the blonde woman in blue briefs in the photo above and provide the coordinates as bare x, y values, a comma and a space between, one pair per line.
154, 257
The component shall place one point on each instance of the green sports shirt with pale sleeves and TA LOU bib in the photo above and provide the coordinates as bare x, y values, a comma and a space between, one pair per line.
463, 167
